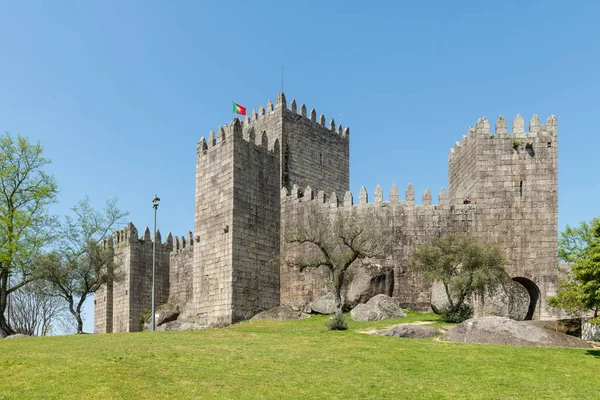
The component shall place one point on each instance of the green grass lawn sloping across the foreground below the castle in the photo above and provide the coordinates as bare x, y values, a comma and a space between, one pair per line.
286, 360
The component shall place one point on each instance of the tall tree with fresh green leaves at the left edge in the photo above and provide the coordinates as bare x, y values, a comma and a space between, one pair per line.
26, 191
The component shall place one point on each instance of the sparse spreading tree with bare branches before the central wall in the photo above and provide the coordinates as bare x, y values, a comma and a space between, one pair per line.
335, 238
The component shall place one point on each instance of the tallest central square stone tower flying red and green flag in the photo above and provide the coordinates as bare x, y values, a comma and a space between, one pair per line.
239, 174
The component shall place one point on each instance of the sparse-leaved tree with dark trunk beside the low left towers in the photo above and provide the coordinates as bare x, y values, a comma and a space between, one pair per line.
82, 264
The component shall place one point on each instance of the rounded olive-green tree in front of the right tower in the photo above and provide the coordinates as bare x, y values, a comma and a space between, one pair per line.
463, 266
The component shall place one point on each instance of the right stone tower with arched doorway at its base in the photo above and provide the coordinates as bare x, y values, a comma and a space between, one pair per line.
512, 180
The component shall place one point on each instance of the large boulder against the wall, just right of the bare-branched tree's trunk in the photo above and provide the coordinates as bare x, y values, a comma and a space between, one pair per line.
362, 282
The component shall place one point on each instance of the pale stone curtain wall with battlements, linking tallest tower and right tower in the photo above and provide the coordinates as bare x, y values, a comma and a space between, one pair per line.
409, 224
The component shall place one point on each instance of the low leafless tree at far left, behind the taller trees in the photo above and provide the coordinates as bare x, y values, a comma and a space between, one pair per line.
35, 311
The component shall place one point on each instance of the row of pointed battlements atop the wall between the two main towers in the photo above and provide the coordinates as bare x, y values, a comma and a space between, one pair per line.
296, 195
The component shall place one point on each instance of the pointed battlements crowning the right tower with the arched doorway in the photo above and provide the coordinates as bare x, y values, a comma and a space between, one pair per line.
536, 131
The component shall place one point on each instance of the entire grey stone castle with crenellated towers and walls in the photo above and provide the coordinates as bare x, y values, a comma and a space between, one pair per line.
254, 178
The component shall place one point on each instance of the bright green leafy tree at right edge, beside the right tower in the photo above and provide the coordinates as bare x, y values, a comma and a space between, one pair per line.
579, 293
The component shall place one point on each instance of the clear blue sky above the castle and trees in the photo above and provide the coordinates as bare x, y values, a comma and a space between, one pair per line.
119, 93
